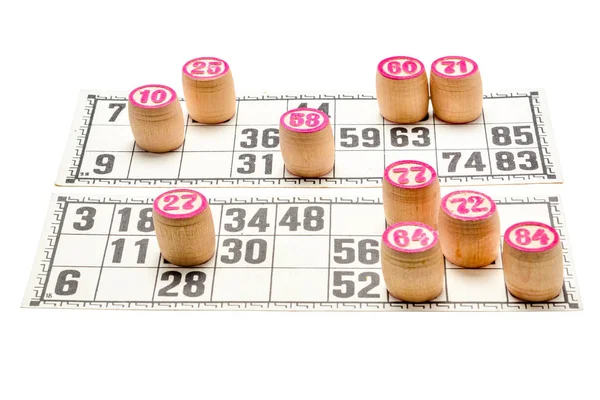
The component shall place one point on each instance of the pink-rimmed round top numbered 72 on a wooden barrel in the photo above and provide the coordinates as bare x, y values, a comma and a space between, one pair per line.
468, 205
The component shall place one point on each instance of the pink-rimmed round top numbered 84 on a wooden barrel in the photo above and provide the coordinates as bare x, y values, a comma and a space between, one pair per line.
531, 236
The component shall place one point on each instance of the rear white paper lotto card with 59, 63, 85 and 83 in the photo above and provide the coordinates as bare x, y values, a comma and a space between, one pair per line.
511, 143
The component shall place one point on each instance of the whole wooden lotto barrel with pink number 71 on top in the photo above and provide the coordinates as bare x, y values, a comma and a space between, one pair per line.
456, 89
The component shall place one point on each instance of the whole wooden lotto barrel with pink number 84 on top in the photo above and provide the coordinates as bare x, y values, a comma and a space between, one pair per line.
533, 261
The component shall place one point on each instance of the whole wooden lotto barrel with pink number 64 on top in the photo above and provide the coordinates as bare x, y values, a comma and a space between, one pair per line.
412, 262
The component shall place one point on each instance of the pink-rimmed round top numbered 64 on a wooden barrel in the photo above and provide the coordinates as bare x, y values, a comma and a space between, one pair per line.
410, 237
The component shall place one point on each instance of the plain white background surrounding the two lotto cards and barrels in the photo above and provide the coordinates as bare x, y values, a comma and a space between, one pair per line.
51, 49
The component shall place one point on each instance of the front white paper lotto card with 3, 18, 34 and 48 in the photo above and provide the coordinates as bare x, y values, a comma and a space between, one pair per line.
319, 252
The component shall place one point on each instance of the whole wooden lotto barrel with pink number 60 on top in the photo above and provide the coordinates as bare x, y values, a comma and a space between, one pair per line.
402, 89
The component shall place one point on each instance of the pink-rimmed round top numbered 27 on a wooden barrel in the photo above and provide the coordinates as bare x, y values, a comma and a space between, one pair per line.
180, 203
